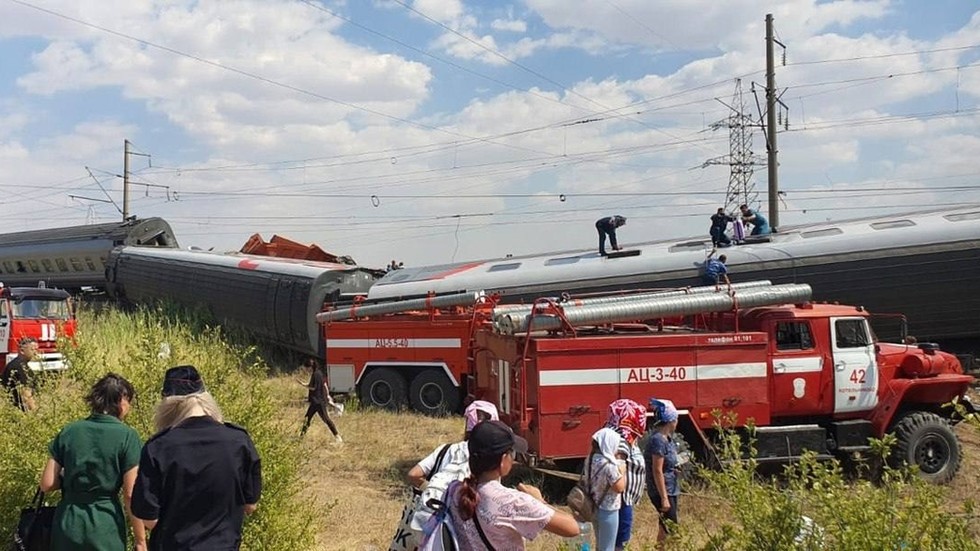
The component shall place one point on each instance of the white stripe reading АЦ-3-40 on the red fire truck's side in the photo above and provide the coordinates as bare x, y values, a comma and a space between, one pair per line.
662, 374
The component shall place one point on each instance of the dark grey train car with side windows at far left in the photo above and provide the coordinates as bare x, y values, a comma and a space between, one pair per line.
74, 257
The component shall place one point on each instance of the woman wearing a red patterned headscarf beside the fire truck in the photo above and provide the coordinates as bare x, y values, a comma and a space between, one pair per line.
629, 419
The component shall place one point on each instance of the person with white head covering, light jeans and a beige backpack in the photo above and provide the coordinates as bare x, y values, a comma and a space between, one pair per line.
607, 481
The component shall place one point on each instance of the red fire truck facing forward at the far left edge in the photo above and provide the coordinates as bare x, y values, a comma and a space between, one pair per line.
38, 312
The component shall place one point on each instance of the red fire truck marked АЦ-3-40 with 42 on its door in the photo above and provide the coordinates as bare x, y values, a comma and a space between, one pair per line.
806, 376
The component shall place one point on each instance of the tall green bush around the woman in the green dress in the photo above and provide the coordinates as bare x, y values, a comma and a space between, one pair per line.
140, 346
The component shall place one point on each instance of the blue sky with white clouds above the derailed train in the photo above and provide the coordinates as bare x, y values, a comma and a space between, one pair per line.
432, 131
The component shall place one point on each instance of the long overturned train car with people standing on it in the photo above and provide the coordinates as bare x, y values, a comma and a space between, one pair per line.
924, 265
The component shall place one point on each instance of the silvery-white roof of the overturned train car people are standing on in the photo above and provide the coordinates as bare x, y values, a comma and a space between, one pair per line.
894, 233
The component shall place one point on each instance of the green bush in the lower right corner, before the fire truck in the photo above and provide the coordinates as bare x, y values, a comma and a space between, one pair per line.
813, 506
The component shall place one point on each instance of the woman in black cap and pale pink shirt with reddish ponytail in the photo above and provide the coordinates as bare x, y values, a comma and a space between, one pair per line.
487, 515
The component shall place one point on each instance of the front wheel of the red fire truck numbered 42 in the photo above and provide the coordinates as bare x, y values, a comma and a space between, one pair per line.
927, 441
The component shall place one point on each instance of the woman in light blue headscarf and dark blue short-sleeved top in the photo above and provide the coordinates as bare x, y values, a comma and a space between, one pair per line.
662, 465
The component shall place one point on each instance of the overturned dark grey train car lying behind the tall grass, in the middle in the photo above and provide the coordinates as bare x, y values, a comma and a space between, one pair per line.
275, 299
